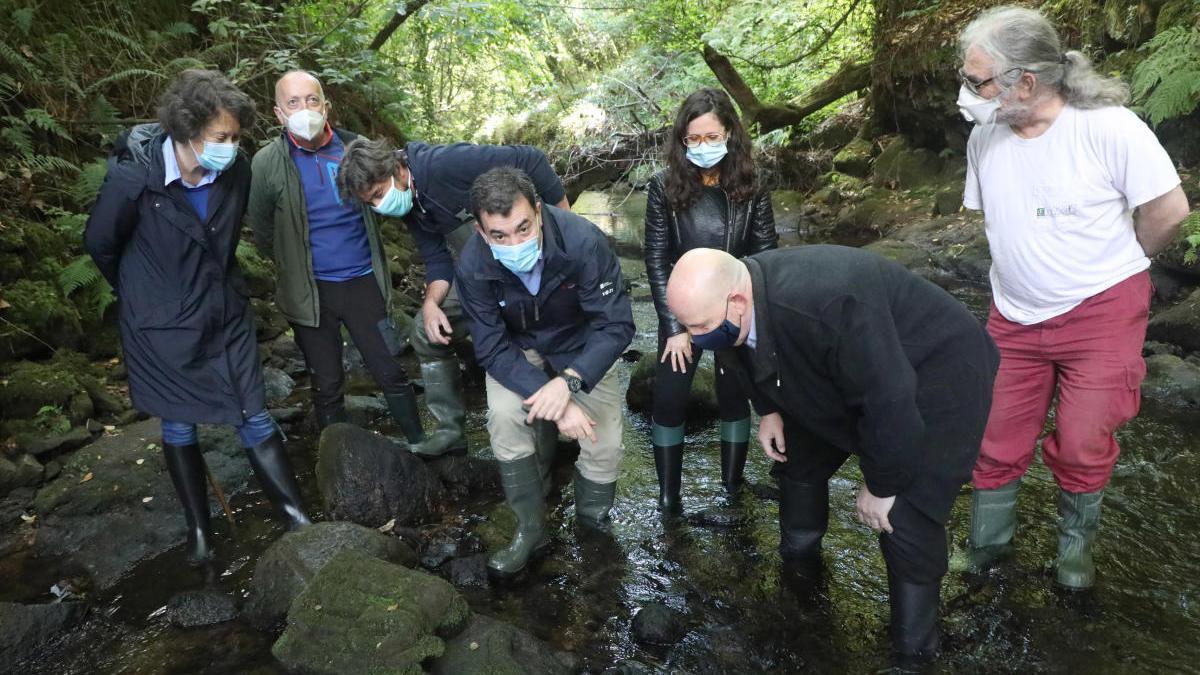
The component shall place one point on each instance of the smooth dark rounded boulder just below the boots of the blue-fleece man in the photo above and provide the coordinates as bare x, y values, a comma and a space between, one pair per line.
369, 480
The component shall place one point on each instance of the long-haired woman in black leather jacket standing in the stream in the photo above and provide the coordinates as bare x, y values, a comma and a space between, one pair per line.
707, 198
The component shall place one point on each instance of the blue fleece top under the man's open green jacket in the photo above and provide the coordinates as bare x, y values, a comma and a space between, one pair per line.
337, 232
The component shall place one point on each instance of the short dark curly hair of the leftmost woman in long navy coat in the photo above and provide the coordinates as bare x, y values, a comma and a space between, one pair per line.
199, 97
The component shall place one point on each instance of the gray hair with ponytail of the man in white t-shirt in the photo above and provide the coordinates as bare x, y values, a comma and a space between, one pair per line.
1017, 38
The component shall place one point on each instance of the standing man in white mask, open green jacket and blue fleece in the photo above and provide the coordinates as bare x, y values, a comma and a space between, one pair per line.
328, 254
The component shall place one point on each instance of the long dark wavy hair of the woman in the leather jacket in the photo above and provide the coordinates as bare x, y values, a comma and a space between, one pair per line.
683, 180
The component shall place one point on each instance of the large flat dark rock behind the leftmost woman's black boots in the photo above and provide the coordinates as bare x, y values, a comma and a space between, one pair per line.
107, 511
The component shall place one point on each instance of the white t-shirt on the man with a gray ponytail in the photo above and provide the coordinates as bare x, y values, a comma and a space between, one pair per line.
1059, 208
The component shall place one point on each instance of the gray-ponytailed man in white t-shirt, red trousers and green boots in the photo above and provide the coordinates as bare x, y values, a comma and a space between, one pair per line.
1077, 195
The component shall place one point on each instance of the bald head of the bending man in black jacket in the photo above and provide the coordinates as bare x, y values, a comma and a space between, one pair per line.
709, 286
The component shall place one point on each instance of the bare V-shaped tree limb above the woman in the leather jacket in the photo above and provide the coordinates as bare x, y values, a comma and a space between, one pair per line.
850, 79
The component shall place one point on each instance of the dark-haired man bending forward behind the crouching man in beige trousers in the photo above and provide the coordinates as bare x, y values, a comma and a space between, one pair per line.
428, 187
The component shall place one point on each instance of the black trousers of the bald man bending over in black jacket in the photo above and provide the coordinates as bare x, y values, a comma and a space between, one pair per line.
915, 552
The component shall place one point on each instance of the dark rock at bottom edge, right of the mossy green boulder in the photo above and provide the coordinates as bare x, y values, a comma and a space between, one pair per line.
489, 646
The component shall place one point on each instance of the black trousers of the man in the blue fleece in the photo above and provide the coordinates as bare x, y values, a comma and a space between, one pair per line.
358, 304
